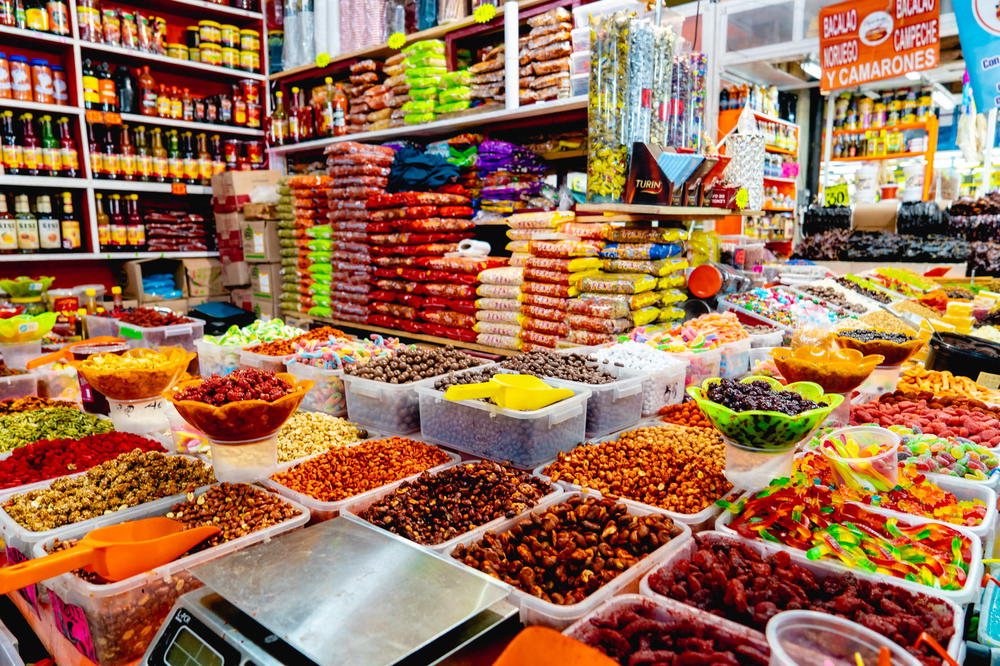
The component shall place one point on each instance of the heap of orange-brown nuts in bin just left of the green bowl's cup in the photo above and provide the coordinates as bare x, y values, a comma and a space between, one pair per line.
671, 467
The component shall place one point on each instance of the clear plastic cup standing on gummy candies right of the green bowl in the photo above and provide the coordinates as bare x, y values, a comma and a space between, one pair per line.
877, 473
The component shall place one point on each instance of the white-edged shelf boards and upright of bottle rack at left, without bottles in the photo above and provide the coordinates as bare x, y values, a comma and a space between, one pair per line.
70, 51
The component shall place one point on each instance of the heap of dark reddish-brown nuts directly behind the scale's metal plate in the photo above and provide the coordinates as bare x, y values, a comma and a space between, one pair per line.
437, 507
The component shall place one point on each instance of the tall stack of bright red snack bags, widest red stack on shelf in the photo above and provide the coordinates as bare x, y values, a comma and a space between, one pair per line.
416, 288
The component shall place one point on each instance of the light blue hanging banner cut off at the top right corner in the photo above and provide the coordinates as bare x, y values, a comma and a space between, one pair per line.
979, 32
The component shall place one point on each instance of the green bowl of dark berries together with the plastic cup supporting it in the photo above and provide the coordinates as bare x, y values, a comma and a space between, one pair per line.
762, 422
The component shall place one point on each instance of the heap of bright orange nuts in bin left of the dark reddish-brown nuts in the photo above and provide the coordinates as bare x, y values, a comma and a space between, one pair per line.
346, 472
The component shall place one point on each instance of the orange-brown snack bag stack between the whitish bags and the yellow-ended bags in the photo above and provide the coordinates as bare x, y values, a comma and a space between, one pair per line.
552, 276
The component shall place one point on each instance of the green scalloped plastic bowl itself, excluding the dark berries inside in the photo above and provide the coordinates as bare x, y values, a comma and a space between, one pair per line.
762, 429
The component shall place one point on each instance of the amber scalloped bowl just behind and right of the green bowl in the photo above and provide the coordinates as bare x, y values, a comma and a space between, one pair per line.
837, 371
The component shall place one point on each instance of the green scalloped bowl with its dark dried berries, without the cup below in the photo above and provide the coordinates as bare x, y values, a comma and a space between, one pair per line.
759, 412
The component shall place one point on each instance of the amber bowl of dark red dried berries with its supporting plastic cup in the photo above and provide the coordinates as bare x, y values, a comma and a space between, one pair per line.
240, 415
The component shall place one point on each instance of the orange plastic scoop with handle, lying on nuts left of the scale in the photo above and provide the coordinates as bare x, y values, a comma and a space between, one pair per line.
114, 553
